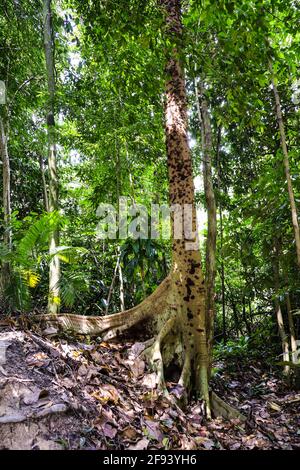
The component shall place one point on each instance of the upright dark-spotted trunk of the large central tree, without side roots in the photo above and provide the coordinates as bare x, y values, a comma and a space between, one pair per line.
188, 289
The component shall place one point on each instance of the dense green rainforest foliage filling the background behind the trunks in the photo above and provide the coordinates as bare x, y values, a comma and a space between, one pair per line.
109, 59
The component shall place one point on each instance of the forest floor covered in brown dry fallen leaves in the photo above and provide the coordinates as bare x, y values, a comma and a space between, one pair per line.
66, 394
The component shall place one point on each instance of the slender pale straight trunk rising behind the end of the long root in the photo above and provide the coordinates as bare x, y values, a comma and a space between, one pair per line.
54, 267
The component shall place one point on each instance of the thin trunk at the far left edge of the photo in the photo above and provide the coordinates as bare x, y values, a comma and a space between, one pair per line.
7, 236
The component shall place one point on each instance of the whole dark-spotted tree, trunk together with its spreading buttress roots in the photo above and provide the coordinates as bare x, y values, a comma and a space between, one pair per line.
177, 308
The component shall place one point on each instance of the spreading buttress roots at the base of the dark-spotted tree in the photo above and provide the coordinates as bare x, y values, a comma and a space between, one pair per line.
162, 312
